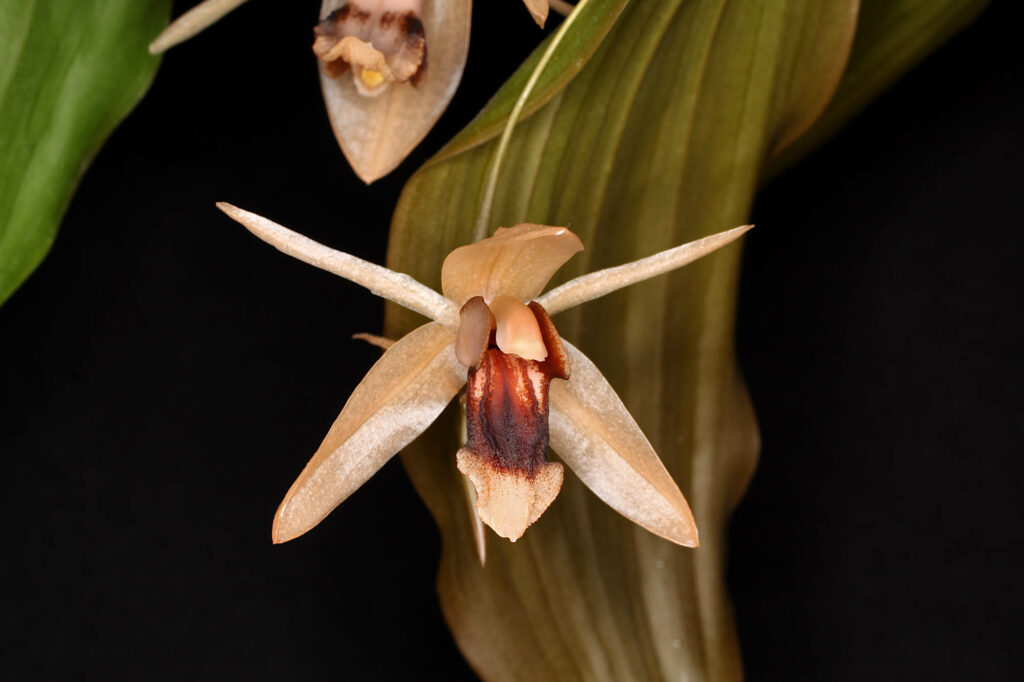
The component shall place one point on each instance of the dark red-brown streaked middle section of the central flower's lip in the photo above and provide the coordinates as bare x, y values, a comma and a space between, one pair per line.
507, 413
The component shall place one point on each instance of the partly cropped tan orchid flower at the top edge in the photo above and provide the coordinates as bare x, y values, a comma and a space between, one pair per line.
406, 59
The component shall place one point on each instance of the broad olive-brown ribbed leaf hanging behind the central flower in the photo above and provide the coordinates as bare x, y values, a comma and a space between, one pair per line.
661, 139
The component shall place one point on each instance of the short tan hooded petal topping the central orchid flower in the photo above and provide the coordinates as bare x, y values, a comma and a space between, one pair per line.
518, 262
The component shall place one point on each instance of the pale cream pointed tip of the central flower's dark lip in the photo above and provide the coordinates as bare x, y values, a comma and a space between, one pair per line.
507, 500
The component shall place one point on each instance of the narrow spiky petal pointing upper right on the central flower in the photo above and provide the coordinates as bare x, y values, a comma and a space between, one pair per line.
599, 284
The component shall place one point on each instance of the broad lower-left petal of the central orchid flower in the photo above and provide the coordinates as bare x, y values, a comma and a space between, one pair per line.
400, 398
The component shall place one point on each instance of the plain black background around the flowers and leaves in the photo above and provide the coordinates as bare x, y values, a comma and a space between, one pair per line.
165, 375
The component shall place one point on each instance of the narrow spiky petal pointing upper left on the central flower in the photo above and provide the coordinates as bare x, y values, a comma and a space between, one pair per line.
397, 287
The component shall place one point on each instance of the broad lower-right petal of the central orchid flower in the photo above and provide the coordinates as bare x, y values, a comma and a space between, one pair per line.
598, 438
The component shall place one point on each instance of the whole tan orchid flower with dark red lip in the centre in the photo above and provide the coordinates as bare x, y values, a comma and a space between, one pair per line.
492, 333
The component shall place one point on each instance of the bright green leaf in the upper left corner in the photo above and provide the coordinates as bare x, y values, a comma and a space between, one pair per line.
70, 71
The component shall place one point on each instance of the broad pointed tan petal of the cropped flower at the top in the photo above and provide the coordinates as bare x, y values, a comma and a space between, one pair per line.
377, 134
